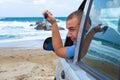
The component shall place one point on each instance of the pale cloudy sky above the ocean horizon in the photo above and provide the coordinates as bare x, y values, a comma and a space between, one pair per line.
34, 8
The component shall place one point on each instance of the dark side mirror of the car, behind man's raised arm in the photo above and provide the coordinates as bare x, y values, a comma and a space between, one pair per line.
47, 45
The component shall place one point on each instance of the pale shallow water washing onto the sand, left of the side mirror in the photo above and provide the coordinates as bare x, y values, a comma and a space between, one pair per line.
37, 43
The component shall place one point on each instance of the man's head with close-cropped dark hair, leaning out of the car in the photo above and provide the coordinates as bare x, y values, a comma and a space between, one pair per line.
73, 24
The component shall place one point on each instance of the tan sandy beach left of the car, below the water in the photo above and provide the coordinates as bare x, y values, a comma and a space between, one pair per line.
27, 64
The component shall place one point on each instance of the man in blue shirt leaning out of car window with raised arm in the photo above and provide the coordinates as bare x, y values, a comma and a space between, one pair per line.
72, 24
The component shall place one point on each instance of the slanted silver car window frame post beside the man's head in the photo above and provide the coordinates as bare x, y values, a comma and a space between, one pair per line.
82, 28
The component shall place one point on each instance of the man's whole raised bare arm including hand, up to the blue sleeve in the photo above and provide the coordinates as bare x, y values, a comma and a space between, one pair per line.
56, 38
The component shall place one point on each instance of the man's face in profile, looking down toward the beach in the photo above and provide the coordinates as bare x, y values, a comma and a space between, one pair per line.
73, 27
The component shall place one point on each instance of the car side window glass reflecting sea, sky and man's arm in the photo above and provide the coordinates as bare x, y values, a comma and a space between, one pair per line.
104, 51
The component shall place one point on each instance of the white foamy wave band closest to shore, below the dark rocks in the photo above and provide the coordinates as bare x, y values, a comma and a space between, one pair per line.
32, 35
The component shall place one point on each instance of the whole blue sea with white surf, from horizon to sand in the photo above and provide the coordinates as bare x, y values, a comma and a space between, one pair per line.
17, 32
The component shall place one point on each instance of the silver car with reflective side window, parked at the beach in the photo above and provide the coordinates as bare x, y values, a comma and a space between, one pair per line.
102, 60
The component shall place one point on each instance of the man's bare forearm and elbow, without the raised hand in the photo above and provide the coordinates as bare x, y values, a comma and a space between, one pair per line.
57, 42
